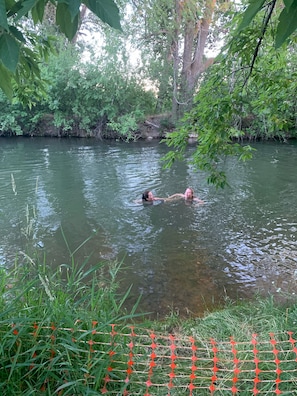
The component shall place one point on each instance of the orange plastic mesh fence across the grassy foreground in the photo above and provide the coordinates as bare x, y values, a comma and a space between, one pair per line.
139, 361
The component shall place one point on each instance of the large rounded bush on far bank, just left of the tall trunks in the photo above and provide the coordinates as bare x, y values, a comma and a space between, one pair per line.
95, 95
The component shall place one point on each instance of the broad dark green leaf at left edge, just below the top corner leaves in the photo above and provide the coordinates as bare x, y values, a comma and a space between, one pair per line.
9, 52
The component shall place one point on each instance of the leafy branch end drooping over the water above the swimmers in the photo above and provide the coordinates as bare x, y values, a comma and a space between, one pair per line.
211, 122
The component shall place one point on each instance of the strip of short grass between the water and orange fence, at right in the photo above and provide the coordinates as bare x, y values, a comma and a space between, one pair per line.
240, 319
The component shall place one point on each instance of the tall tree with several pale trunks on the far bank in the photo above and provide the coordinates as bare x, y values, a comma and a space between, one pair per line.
174, 35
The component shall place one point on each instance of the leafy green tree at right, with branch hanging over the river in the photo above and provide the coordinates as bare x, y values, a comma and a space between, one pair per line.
241, 84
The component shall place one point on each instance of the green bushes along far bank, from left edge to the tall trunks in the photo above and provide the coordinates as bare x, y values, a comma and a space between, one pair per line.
98, 99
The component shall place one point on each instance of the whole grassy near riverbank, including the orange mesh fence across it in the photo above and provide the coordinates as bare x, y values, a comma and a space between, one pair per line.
64, 335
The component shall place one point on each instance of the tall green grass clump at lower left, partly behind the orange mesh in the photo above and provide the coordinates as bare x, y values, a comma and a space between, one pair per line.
70, 297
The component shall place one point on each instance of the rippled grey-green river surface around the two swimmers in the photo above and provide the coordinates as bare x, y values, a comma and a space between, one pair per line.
241, 242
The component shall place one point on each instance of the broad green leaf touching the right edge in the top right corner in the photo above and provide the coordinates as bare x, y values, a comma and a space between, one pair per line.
287, 24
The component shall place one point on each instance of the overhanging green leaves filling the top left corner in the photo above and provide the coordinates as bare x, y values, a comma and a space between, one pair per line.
22, 48
